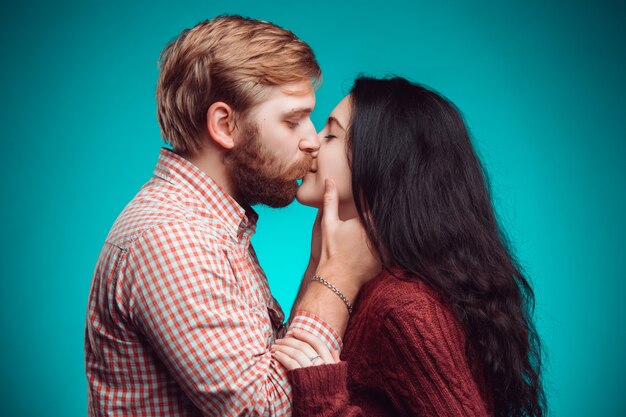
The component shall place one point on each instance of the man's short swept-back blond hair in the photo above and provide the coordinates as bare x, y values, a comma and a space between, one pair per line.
230, 59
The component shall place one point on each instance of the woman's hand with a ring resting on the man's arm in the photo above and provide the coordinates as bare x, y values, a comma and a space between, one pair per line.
301, 349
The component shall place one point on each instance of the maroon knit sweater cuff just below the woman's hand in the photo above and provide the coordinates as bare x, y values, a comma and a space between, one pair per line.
321, 391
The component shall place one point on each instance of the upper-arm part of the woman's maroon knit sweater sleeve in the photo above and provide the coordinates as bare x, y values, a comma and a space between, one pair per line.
435, 378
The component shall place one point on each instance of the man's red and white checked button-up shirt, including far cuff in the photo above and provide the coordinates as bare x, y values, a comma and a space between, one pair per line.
180, 316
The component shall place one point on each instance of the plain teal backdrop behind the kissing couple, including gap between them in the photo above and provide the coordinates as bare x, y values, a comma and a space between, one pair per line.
541, 85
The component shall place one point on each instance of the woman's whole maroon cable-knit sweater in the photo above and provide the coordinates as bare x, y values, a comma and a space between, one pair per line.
403, 355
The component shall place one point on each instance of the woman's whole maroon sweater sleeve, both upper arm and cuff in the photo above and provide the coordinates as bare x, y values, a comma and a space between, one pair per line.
422, 367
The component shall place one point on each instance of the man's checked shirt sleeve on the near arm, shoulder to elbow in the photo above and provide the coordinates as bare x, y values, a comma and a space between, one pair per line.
185, 299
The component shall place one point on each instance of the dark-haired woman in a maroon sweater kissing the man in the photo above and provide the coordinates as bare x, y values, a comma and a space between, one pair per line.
446, 328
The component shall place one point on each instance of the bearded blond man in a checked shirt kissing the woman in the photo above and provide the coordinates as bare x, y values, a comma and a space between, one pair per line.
180, 317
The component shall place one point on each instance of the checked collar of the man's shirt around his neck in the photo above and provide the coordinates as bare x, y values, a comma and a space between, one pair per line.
177, 170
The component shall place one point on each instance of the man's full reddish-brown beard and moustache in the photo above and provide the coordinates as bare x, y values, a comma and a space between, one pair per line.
258, 176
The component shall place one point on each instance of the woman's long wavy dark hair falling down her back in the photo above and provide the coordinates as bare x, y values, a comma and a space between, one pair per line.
422, 194
